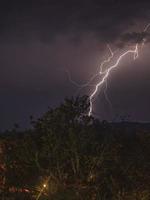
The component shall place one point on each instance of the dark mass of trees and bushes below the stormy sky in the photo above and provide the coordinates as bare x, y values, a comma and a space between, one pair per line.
67, 155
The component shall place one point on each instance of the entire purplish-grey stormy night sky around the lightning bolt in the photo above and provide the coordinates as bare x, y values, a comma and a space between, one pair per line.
39, 40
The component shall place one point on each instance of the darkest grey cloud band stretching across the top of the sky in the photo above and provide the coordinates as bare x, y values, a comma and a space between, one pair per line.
45, 19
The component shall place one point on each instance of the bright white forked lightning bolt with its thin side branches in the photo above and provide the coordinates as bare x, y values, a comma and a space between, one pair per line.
104, 74
